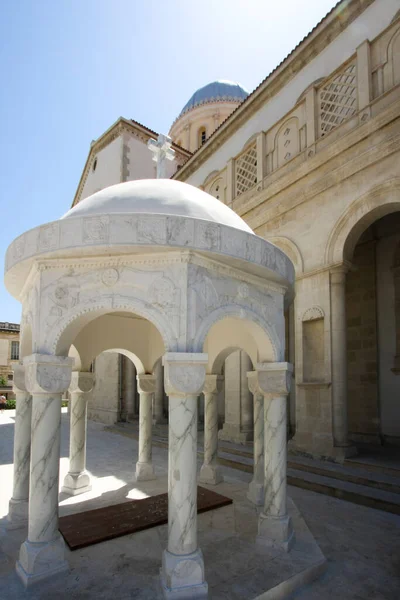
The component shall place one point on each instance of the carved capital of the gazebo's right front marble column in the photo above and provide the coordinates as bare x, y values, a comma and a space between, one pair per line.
271, 379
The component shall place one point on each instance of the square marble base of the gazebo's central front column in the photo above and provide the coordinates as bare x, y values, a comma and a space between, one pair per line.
182, 576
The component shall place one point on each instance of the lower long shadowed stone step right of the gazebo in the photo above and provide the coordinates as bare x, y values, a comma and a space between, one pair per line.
344, 490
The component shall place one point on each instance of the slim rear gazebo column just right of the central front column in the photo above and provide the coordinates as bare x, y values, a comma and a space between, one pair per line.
210, 471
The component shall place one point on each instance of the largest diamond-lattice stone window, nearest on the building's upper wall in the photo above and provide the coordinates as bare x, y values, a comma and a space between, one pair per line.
338, 99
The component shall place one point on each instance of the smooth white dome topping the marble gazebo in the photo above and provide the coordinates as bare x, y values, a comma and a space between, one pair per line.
158, 196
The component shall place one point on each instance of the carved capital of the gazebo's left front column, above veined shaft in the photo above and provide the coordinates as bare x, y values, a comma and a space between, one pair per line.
47, 374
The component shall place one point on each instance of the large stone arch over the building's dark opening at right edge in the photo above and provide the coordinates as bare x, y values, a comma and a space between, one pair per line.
378, 202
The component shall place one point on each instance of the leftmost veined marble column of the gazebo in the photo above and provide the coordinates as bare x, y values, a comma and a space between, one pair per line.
18, 505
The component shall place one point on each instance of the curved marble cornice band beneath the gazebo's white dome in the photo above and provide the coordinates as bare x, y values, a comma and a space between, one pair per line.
115, 234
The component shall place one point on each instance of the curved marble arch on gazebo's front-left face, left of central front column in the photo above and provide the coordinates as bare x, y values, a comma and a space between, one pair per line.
66, 330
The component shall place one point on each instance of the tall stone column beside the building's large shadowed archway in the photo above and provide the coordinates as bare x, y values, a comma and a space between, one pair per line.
339, 361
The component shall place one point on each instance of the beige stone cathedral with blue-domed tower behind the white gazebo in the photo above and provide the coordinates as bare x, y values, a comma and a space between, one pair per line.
310, 160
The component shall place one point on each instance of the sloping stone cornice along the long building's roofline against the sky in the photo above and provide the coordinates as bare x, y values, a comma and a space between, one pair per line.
337, 20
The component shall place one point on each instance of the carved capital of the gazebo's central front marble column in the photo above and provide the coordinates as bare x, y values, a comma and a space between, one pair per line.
184, 373
